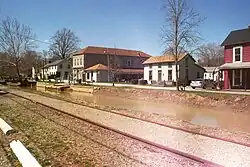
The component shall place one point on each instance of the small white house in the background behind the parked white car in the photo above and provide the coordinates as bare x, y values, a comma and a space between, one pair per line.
213, 73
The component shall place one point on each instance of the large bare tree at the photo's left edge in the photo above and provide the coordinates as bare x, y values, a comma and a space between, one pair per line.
15, 40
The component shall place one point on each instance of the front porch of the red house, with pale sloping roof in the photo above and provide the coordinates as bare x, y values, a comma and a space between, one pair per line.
236, 75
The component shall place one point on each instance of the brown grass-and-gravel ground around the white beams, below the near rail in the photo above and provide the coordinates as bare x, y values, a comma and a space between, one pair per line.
58, 140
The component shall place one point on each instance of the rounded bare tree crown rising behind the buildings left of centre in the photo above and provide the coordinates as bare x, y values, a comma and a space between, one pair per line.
64, 43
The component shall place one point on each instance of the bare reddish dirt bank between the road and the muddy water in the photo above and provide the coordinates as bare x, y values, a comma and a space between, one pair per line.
235, 103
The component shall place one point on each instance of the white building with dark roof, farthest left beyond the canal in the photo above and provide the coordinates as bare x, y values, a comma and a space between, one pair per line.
59, 70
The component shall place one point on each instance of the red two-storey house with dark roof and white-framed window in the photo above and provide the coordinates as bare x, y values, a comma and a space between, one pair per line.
237, 60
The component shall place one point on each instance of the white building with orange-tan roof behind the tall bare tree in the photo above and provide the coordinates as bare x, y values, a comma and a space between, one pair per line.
162, 68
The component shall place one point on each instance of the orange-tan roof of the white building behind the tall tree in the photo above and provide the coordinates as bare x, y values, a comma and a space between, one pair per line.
163, 59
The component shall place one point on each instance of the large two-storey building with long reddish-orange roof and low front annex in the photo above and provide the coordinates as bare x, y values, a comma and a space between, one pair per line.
100, 64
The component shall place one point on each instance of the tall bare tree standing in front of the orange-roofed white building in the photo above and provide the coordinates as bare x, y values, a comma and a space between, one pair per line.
179, 34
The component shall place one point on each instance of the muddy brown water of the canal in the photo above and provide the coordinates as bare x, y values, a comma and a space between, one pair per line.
221, 118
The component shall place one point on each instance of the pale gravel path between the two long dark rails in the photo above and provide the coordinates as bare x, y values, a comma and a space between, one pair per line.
217, 151
